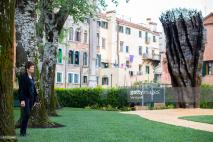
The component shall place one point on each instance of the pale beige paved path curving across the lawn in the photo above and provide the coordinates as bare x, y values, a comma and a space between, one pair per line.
170, 116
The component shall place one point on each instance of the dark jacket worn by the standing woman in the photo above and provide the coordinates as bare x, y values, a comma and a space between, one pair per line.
25, 89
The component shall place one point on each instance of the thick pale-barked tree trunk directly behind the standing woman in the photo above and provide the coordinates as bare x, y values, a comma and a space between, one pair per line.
28, 51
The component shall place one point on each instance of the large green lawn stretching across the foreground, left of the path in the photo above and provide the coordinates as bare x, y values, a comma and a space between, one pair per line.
84, 125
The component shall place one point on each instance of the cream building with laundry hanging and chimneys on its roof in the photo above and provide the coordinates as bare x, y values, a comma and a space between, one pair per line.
129, 52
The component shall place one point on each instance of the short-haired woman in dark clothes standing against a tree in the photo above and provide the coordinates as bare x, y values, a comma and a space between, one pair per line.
27, 95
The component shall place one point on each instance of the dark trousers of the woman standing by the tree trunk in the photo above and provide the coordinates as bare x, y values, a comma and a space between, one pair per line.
25, 115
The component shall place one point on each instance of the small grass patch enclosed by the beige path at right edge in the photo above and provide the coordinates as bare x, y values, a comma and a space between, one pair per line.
201, 118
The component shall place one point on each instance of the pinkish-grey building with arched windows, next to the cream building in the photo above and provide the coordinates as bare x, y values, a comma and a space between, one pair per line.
72, 56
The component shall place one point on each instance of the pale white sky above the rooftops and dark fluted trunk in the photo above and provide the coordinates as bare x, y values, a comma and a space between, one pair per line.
139, 10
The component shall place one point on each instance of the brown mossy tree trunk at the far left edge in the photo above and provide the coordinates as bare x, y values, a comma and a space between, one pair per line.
7, 12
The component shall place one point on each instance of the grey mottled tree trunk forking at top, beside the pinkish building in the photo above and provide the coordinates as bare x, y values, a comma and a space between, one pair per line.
53, 25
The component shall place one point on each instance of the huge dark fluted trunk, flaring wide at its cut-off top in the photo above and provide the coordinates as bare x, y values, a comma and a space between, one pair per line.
184, 51
